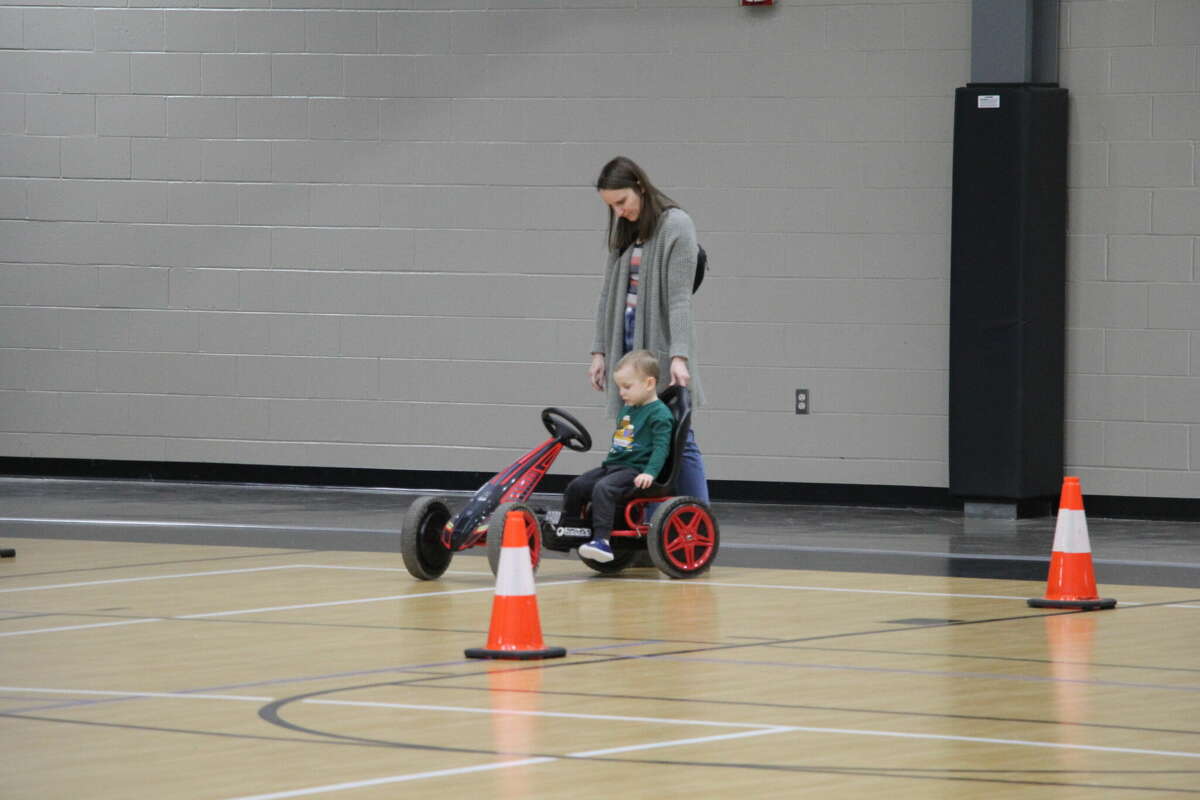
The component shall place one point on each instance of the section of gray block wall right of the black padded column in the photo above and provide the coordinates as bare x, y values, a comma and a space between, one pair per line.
1133, 389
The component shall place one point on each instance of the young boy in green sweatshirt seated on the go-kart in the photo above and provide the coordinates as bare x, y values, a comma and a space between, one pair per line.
640, 448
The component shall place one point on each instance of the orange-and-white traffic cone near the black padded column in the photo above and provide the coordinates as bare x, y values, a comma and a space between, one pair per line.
1072, 582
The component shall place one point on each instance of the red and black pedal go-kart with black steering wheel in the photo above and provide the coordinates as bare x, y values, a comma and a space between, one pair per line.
682, 536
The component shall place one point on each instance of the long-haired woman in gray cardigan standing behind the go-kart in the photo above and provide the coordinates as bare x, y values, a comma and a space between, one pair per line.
646, 300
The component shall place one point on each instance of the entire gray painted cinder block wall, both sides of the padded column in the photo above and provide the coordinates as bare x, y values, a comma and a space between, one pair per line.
365, 236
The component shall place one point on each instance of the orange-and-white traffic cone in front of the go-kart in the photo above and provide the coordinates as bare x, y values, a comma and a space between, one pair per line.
515, 631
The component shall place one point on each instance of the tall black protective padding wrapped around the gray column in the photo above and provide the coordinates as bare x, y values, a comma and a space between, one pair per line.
1009, 293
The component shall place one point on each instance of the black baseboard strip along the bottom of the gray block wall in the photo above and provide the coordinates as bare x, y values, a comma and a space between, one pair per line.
848, 495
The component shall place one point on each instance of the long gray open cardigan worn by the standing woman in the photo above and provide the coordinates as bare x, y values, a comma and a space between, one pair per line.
664, 304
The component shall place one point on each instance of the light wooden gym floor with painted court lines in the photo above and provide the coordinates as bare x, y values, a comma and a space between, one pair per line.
214, 672
